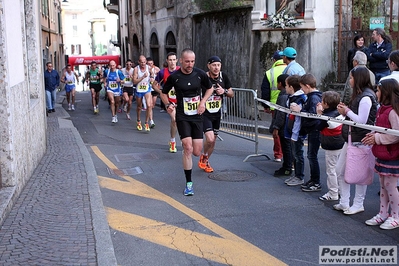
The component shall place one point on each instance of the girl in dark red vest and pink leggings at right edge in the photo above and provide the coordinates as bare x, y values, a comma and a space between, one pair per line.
386, 150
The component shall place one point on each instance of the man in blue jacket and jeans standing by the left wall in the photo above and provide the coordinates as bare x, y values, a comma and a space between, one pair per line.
51, 83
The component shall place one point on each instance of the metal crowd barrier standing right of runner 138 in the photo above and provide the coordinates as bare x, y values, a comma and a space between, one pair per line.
240, 117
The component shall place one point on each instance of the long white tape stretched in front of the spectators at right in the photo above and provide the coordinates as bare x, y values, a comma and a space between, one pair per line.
328, 118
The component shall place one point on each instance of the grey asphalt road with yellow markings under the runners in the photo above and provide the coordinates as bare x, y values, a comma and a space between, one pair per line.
256, 221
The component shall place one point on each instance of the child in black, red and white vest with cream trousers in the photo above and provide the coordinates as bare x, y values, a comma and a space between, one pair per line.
331, 141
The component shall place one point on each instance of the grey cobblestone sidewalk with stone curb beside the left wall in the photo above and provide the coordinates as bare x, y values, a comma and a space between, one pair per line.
59, 218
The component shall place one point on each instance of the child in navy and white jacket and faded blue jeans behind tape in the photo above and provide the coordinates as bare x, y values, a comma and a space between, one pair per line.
292, 129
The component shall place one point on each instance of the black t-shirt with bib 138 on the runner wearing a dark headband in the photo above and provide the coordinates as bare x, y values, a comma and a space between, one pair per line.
214, 103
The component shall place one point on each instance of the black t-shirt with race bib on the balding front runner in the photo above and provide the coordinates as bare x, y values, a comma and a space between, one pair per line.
188, 92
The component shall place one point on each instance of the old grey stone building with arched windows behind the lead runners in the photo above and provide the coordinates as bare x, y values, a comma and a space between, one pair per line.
237, 35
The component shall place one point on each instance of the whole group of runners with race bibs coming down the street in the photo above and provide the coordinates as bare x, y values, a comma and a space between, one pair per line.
192, 97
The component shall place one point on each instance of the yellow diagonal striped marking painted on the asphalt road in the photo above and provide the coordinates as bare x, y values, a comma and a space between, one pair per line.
227, 249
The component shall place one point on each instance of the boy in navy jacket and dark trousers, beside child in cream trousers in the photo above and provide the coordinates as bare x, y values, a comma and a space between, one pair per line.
309, 127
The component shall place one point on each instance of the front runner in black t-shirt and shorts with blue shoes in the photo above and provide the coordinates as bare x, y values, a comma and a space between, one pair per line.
188, 82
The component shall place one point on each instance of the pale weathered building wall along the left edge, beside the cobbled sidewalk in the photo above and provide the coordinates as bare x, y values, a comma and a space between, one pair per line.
22, 109
